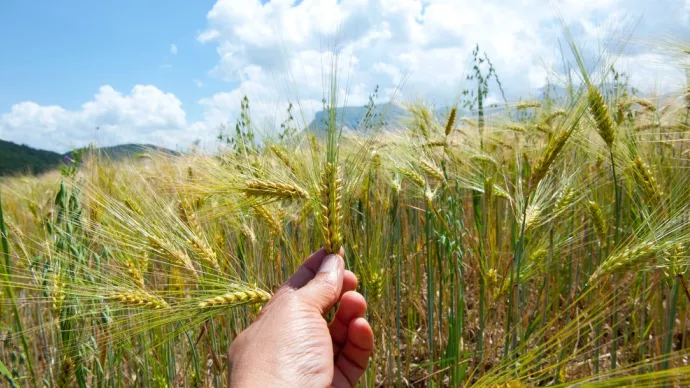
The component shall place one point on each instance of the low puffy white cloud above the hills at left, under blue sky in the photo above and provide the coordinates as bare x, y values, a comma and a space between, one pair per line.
145, 115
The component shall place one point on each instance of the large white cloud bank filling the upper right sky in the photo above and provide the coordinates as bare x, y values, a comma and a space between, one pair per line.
427, 44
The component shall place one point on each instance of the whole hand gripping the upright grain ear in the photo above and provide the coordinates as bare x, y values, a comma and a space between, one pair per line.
291, 345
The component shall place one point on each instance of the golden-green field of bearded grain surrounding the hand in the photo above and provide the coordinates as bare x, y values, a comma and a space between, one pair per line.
538, 242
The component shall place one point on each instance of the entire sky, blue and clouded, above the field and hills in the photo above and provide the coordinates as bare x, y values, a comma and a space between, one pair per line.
171, 72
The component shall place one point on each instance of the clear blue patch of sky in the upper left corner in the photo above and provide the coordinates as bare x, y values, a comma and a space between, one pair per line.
56, 54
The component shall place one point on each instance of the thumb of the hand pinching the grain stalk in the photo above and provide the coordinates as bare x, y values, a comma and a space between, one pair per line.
323, 291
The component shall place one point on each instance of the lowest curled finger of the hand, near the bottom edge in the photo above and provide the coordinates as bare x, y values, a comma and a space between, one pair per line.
354, 357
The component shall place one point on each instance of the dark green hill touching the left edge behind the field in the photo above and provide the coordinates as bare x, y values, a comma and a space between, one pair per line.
21, 159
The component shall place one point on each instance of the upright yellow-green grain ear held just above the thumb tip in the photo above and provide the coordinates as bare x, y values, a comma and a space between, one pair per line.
331, 208
